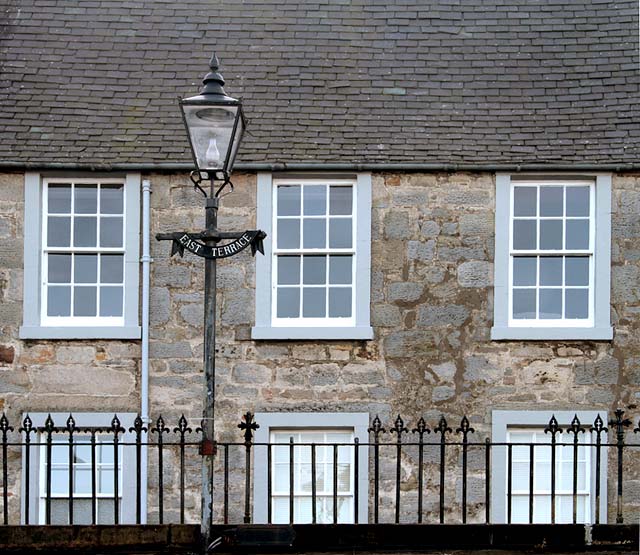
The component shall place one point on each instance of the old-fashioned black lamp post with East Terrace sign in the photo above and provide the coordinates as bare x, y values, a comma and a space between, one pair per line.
215, 124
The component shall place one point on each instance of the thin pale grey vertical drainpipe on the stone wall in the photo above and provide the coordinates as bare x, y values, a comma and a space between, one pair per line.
144, 386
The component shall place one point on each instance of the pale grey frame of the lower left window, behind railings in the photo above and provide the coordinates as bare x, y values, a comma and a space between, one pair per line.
127, 485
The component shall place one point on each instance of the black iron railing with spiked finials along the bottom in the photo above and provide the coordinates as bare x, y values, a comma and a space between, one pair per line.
412, 479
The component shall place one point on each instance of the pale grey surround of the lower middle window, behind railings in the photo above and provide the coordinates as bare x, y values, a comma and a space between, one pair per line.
357, 423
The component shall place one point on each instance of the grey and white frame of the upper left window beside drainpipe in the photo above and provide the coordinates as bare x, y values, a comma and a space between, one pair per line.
35, 324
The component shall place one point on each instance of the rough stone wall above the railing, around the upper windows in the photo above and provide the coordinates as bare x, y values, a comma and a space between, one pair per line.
431, 308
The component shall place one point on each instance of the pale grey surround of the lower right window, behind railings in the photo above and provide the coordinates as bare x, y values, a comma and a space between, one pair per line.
502, 420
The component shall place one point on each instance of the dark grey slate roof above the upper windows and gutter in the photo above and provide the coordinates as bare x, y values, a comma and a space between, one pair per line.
336, 81
